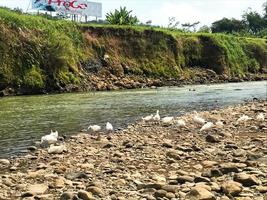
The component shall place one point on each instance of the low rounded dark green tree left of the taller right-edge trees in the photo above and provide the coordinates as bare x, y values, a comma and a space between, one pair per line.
226, 25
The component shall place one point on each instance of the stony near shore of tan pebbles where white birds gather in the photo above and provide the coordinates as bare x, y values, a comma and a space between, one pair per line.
150, 161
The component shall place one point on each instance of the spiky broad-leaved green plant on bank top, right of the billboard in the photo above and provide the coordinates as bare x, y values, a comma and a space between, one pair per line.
121, 17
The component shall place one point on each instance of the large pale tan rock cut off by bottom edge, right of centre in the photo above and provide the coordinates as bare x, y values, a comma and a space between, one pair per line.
199, 193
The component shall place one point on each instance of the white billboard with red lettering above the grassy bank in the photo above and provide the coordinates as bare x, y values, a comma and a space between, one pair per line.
81, 7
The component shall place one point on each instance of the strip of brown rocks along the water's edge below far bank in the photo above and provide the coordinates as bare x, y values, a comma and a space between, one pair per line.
105, 81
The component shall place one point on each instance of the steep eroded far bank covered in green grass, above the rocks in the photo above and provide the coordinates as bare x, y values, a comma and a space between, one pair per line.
37, 54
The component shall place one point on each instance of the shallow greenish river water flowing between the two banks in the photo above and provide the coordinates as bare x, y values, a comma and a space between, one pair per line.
25, 119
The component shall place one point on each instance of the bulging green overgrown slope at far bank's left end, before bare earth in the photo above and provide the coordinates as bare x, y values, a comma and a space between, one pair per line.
35, 51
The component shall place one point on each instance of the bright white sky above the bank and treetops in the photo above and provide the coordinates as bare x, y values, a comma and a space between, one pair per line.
159, 11
